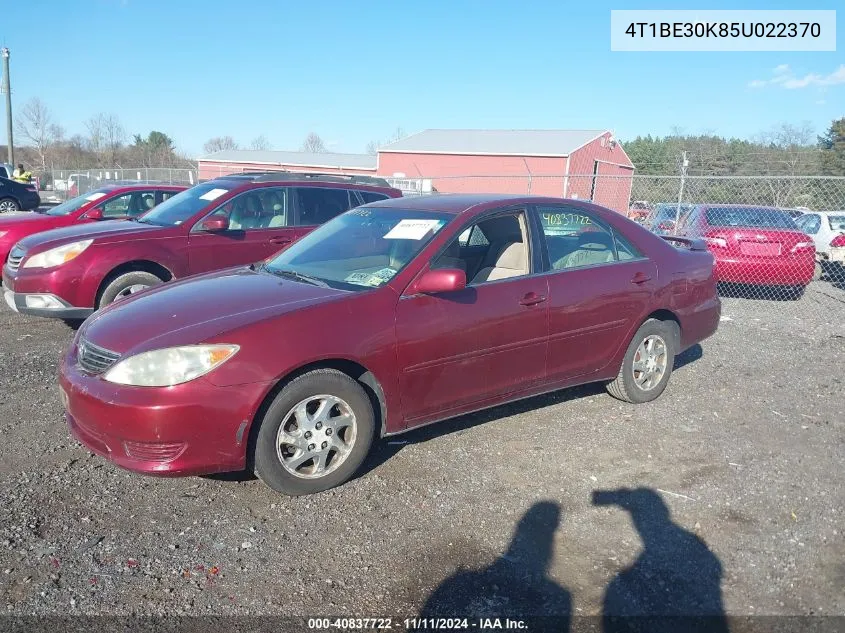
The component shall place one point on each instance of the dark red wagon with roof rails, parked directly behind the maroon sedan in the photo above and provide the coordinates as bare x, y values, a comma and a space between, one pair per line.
68, 273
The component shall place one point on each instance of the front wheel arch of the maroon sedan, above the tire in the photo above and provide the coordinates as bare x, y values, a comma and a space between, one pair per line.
351, 368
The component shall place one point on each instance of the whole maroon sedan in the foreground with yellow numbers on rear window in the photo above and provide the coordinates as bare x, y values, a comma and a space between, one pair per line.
392, 315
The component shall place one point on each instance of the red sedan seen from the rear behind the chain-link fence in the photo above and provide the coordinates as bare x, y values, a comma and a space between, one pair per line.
757, 246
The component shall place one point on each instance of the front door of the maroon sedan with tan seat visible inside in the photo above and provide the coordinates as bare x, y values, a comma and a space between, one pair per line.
487, 340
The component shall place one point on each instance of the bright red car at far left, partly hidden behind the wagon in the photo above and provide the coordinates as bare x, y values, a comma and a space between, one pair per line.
110, 202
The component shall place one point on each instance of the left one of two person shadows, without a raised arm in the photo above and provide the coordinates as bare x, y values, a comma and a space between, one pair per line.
516, 585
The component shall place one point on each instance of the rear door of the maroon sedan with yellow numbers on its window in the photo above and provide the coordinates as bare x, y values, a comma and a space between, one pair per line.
599, 284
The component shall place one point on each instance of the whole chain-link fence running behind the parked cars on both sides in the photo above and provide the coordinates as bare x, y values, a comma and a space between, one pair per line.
772, 237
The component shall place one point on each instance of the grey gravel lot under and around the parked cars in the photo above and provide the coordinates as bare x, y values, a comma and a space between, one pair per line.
736, 500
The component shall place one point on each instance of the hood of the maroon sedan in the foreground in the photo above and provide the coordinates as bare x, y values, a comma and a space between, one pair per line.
193, 310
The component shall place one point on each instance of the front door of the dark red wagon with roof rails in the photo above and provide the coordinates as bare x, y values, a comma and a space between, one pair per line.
259, 225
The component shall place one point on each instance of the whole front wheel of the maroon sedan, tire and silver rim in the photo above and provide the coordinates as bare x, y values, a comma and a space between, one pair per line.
315, 434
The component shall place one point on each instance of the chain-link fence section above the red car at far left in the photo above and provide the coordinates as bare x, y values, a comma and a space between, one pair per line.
58, 185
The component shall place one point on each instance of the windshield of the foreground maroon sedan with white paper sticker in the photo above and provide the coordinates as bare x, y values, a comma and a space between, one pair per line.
362, 248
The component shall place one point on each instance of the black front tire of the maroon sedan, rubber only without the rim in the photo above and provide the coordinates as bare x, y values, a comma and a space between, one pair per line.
268, 466
